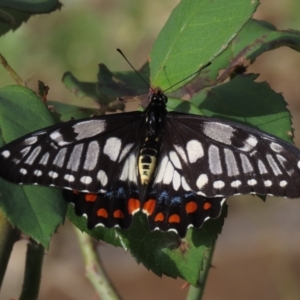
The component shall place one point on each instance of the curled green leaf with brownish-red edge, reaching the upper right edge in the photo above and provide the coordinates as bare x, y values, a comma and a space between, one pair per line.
255, 38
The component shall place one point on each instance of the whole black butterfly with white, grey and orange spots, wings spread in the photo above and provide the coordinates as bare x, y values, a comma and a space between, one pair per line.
176, 168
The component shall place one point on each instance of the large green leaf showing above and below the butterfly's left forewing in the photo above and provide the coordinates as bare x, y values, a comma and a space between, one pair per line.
36, 211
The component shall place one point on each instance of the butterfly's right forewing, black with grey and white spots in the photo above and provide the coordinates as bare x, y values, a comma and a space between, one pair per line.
220, 158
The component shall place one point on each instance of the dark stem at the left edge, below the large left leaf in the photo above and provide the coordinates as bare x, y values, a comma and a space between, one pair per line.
8, 236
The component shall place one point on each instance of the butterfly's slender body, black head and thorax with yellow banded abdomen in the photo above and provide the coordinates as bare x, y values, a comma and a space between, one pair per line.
150, 146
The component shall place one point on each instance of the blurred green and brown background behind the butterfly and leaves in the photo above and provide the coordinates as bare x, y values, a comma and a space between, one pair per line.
258, 254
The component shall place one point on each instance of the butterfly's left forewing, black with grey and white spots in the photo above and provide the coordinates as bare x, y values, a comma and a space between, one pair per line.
80, 155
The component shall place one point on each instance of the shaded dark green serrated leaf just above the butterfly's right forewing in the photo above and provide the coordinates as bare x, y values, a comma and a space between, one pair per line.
248, 102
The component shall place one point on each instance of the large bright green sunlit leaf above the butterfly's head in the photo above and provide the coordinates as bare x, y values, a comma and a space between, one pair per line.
185, 43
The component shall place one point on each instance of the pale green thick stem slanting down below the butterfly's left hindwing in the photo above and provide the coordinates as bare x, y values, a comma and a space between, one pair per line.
94, 271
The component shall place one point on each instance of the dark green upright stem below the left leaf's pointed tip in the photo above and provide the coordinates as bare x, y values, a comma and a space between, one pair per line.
33, 270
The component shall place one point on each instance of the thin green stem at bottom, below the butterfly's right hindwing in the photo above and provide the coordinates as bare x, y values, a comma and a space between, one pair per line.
196, 293
